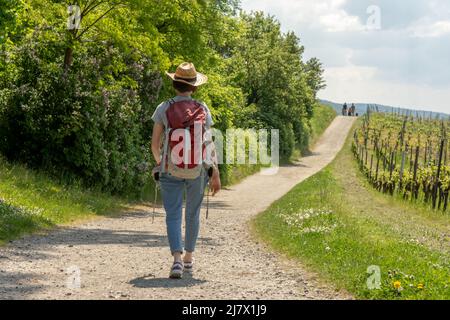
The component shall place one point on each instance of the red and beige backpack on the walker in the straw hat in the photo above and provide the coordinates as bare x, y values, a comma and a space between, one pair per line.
184, 146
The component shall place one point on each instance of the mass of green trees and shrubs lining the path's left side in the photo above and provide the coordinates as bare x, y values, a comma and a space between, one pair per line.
78, 103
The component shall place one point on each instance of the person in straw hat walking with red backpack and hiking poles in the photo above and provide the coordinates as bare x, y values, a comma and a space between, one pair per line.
175, 120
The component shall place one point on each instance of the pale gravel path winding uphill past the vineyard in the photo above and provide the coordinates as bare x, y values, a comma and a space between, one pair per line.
126, 257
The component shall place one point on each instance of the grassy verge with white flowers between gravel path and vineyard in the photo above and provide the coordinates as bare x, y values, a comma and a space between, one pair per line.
339, 227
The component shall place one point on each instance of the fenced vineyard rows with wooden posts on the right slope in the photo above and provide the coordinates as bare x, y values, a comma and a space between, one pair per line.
391, 141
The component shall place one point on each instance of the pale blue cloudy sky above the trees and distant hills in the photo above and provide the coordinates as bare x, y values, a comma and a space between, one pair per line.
391, 52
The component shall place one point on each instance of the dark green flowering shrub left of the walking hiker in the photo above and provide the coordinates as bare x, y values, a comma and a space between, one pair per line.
89, 122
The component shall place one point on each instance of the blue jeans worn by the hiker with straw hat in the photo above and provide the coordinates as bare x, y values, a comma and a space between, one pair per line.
172, 190
